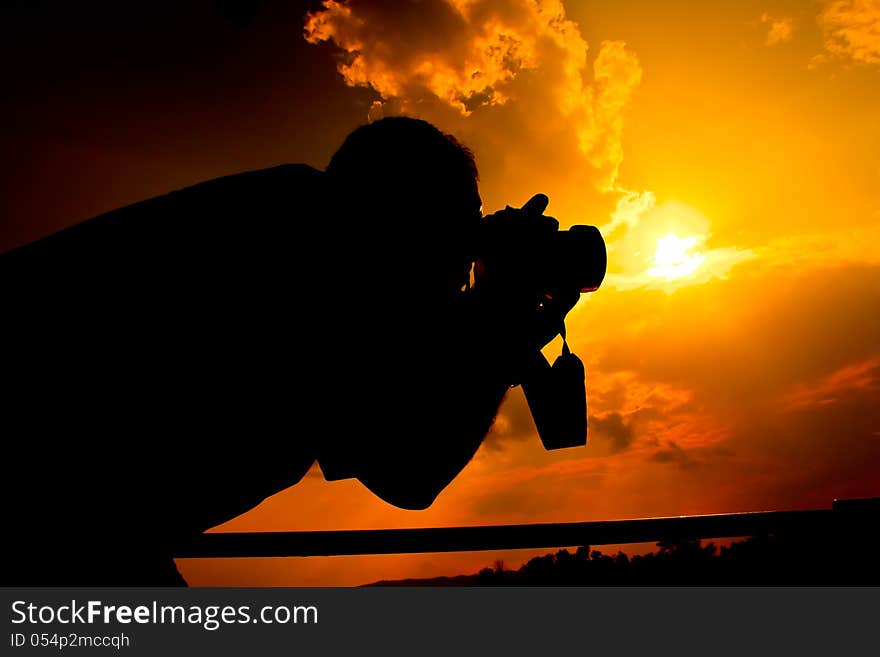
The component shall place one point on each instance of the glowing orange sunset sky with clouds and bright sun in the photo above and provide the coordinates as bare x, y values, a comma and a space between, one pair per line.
729, 151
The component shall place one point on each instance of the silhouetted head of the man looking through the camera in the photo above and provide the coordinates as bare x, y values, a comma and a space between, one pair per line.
401, 181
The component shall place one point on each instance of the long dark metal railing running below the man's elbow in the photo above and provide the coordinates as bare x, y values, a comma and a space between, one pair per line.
857, 515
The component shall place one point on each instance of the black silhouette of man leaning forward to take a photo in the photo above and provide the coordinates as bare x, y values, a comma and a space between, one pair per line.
174, 362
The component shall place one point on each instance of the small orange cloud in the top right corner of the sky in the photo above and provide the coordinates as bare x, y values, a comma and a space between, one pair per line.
851, 30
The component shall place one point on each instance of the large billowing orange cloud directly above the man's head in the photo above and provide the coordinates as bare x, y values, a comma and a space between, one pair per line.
478, 56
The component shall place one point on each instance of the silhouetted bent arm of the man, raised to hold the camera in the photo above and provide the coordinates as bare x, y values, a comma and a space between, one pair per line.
492, 334
